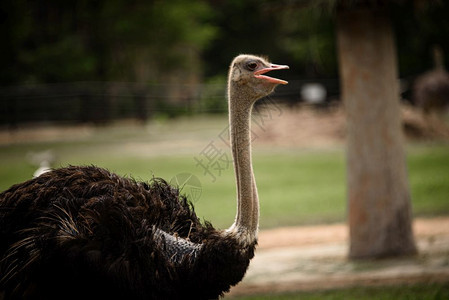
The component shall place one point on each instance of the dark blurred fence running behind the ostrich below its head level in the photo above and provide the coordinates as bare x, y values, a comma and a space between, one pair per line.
99, 102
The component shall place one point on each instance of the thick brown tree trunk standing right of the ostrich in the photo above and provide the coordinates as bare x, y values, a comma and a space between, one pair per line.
379, 208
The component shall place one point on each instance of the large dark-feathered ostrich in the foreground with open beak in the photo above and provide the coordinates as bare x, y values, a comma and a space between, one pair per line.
83, 232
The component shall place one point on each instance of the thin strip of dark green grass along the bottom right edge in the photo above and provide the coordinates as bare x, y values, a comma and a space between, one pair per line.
409, 292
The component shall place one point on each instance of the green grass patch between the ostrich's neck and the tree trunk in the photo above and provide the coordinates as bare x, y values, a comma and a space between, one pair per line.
301, 187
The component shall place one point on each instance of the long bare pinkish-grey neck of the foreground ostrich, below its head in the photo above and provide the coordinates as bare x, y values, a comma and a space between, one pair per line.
247, 218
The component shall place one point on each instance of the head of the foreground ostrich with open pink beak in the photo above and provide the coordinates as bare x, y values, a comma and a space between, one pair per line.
246, 77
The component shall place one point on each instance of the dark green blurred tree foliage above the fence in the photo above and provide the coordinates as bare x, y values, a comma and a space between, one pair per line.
181, 40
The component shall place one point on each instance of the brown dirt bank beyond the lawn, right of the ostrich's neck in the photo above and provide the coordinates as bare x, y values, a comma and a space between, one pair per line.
306, 126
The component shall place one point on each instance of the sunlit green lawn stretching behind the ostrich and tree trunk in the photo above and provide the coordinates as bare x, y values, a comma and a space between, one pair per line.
295, 186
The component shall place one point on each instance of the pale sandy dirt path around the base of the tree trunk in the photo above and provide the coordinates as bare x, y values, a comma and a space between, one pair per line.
315, 257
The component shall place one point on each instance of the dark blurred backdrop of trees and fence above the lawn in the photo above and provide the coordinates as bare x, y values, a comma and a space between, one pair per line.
107, 60
